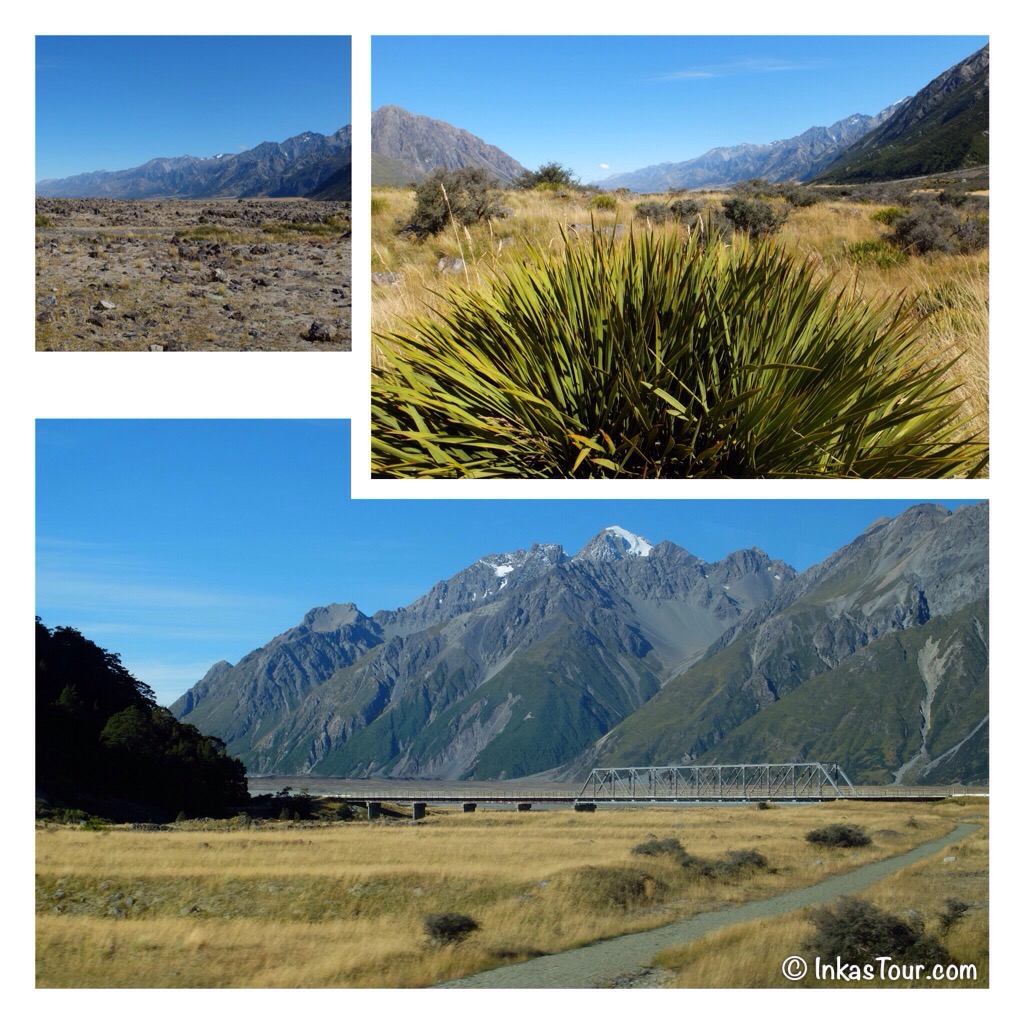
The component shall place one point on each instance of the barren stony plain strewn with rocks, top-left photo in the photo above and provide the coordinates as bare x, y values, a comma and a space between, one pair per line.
227, 275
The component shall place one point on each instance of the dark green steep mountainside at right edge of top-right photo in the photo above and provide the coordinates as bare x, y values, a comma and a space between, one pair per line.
944, 127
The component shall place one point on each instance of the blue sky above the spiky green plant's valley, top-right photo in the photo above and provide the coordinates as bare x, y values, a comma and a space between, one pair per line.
607, 105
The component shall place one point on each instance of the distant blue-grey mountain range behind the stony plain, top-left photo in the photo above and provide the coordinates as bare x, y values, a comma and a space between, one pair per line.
308, 165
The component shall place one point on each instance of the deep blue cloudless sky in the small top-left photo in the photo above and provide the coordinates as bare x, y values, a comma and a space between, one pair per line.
111, 103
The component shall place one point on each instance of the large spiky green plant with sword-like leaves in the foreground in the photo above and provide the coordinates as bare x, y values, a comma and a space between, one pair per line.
662, 357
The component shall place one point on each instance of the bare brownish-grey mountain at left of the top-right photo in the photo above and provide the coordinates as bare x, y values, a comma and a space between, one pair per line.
408, 147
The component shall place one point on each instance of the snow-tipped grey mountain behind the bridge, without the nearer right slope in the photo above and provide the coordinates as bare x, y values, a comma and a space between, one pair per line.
513, 666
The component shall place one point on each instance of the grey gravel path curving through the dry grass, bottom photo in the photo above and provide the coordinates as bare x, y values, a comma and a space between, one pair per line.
601, 965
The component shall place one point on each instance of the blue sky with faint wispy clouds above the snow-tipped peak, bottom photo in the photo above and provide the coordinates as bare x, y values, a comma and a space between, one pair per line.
180, 543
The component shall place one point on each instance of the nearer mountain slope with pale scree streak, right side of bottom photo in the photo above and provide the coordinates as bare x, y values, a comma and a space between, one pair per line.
878, 658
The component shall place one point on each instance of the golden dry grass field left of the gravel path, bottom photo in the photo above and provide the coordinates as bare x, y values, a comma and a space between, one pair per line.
240, 905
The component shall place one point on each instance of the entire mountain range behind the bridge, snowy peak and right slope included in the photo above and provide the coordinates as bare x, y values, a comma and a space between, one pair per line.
537, 663
